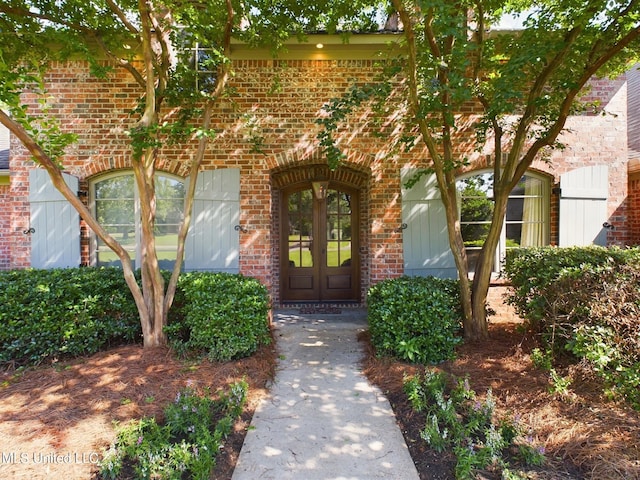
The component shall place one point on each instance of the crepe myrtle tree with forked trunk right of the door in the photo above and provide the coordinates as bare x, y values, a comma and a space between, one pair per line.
526, 82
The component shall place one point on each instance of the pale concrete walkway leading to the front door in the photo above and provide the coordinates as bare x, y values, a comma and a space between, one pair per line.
322, 419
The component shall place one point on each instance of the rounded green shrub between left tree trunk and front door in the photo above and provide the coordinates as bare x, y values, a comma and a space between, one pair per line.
220, 316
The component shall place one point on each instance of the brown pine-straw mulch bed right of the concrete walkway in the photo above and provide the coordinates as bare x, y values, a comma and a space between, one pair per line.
584, 435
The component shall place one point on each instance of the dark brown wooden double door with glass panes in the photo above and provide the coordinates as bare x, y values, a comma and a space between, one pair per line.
320, 245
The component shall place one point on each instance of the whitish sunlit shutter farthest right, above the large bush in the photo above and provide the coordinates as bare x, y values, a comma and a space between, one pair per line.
583, 206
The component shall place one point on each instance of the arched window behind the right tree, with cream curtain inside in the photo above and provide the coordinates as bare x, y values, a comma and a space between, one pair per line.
526, 222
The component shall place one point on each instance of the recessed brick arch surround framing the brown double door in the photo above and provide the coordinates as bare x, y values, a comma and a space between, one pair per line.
352, 177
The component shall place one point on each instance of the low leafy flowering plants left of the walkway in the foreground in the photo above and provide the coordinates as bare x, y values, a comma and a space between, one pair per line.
184, 447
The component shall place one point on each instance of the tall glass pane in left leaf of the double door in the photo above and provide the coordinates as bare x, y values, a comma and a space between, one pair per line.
300, 238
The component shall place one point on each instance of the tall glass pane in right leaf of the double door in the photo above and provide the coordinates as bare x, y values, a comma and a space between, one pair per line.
338, 229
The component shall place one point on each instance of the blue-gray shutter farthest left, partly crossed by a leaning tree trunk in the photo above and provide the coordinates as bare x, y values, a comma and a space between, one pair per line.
55, 238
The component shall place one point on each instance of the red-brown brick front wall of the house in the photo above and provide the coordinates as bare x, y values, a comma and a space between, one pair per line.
268, 127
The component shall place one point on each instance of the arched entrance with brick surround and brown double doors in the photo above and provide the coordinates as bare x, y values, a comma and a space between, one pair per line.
321, 227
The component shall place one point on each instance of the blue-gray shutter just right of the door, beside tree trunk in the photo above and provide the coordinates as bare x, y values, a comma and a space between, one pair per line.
425, 240
